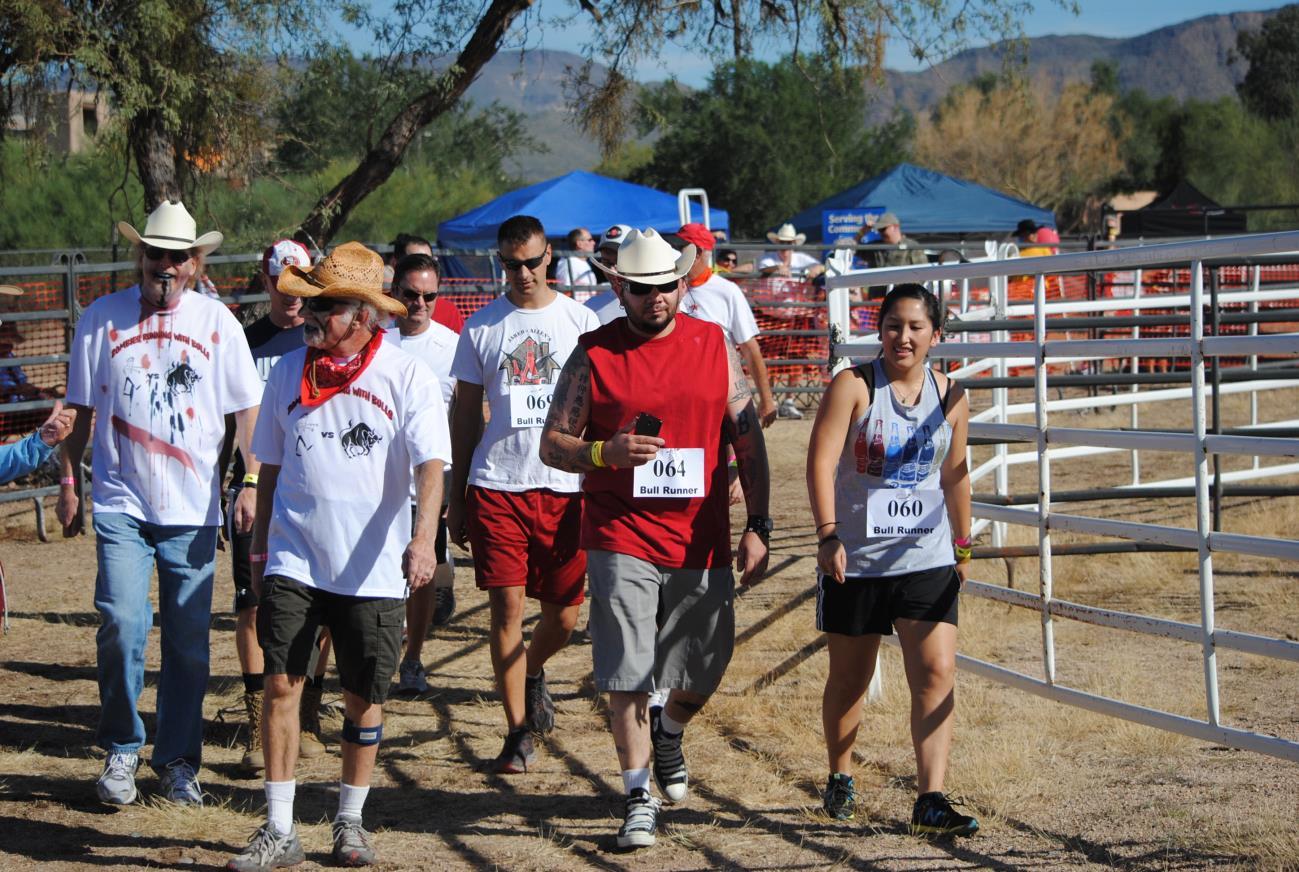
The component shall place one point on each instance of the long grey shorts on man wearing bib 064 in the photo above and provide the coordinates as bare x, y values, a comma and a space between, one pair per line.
655, 628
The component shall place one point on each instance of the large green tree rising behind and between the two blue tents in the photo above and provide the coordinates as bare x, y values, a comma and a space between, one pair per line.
768, 140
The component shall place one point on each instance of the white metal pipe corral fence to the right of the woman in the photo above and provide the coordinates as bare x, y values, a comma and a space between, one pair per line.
1187, 348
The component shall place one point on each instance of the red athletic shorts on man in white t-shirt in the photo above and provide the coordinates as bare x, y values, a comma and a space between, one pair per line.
531, 540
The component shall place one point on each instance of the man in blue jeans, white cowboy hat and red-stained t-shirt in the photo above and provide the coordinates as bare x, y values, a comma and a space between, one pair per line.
160, 367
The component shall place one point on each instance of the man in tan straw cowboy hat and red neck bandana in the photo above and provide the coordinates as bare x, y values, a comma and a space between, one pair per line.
345, 423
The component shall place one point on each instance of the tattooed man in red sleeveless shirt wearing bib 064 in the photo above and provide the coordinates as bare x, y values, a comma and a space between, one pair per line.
645, 409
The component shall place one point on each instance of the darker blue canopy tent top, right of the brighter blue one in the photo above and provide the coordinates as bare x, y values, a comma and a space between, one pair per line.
927, 203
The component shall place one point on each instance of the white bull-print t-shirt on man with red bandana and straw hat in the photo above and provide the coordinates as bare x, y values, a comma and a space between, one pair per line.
342, 513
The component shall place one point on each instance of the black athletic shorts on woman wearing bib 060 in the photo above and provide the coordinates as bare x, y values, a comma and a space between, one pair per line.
864, 606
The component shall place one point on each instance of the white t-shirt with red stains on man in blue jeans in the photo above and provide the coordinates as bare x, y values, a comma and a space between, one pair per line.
162, 385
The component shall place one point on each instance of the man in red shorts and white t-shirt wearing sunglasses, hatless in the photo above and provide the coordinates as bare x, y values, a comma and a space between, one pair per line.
520, 518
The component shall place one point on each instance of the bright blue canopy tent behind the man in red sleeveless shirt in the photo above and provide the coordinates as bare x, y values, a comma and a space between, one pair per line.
577, 199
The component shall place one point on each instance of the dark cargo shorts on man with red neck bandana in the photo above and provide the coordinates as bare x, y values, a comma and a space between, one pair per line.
367, 634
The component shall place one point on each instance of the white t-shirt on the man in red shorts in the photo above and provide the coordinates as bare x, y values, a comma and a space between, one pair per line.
518, 355
